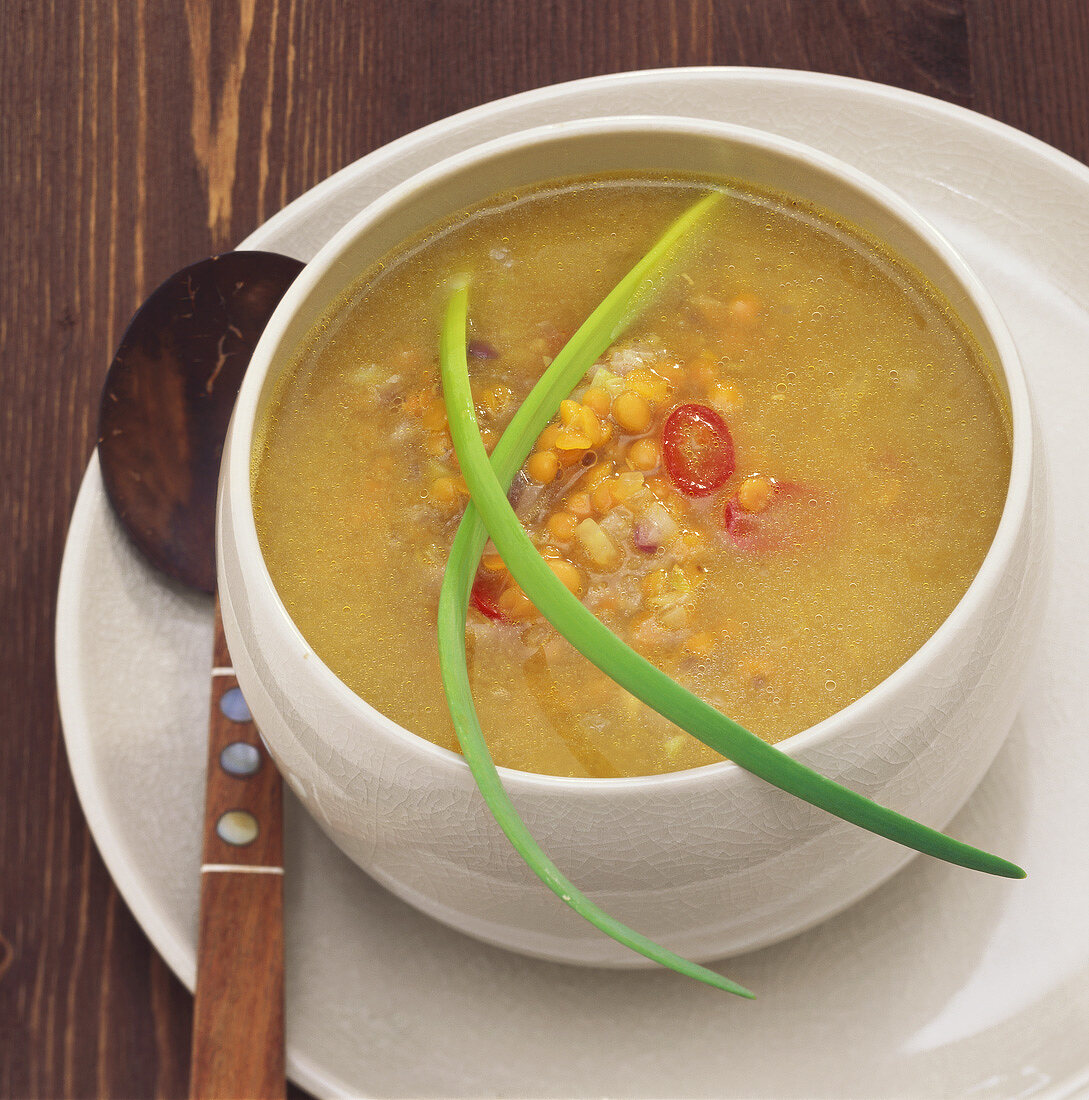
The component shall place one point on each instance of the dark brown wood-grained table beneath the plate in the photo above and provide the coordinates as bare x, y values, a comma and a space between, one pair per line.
139, 136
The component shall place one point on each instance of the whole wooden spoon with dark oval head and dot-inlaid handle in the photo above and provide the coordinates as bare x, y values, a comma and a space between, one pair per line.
166, 409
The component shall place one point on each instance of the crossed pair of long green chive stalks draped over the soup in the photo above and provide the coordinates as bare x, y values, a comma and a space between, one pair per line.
488, 481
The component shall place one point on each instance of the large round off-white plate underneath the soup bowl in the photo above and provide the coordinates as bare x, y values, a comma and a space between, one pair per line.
942, 984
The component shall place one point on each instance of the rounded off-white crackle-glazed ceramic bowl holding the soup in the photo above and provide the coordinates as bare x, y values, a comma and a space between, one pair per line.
709, 862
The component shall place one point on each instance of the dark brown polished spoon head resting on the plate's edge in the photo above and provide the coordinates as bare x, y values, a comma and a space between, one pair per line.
168, 402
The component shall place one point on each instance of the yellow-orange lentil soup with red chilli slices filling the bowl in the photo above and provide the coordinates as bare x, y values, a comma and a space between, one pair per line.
776, 486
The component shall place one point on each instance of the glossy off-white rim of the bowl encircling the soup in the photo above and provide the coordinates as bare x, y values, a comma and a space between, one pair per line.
238, 456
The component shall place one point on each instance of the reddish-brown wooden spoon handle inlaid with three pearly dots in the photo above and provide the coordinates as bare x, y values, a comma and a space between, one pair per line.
238, 1028
